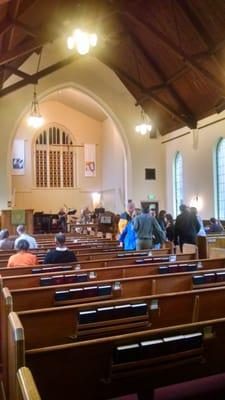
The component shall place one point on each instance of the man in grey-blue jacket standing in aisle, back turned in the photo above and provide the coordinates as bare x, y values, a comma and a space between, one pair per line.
145, 227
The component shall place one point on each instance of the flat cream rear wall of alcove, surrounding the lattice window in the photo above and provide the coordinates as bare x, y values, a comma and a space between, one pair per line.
83, 130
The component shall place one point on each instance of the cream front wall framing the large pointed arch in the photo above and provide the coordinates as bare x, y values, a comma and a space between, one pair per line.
93, 78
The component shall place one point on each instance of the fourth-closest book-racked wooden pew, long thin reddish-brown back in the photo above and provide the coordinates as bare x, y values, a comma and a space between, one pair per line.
50, 278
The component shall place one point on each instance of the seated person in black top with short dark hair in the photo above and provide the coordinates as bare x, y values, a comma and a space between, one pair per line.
60, 254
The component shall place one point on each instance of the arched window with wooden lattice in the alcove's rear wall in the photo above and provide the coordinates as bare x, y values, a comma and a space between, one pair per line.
54, 159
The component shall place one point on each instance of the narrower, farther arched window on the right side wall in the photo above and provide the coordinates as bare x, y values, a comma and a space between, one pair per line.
178, 182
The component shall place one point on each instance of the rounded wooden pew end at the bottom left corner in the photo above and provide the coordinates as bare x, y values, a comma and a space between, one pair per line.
27, 389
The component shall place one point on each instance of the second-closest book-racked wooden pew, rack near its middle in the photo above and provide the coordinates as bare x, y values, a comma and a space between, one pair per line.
68, 323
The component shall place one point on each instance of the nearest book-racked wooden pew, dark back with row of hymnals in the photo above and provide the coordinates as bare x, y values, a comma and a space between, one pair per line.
114, 366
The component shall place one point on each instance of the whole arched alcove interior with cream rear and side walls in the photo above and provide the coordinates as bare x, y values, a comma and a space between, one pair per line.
90, 122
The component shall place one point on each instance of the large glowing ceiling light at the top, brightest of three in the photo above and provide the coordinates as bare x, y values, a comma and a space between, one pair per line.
83, 41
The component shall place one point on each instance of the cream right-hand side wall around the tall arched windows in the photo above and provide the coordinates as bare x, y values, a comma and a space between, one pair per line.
198, 164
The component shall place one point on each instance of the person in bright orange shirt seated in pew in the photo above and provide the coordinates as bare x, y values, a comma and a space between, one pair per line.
23, 256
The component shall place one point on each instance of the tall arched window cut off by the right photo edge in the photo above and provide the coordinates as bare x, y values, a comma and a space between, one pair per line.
220, 178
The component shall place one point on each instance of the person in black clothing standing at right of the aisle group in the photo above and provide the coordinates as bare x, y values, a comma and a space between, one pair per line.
186, 227
